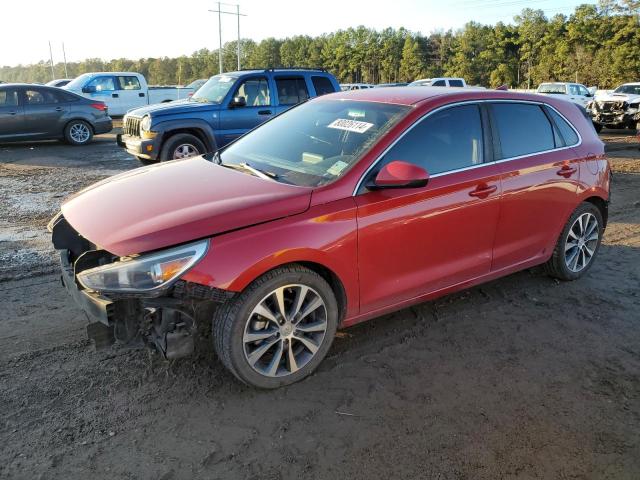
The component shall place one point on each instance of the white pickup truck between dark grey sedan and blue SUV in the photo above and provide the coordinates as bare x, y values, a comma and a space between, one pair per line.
124, 91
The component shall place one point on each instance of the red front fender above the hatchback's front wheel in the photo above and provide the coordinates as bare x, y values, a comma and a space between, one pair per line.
325, 235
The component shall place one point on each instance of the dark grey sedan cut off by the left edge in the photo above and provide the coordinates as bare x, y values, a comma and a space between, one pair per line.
37, 112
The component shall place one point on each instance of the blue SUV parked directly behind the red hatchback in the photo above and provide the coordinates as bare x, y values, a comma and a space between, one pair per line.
227, 106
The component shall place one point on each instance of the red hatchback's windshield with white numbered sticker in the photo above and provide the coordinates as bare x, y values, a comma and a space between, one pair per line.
314, 143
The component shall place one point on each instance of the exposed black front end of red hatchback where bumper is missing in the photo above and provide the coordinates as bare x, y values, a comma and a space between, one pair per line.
164, 317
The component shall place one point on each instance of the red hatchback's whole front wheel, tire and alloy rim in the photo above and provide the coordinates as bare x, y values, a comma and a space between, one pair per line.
278, 330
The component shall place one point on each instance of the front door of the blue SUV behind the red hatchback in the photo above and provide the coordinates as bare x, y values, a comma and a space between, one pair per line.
237, 120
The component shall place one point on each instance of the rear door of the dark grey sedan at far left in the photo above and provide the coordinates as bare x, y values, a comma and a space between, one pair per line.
43, 112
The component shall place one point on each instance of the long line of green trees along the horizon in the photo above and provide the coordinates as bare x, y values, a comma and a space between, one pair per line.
596, 45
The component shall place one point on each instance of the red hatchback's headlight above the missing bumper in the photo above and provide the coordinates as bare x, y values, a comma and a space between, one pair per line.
145, 273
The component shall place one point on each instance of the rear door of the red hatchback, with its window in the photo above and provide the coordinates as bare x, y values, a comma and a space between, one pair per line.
539, 181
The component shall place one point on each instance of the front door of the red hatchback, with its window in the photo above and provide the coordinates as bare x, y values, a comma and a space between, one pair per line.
413, 241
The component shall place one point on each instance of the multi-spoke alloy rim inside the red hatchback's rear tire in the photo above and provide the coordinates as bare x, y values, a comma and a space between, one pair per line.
581, 242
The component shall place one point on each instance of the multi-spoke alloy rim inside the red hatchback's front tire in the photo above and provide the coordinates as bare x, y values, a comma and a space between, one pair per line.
285, 330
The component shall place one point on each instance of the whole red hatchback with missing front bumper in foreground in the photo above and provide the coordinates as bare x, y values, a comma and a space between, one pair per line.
344, 208
